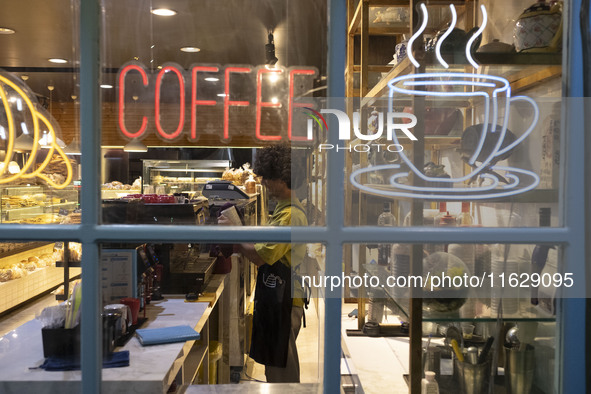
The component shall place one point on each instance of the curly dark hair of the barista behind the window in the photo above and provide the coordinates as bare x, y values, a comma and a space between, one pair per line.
276, 163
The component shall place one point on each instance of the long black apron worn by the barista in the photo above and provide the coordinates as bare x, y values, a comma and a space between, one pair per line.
271, 321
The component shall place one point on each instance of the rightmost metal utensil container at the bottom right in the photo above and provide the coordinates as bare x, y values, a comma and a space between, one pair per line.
519, 369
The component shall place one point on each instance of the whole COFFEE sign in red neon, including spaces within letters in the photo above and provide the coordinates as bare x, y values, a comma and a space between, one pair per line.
238, 95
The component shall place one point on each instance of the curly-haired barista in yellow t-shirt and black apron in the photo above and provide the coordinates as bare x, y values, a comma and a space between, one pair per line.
277, 316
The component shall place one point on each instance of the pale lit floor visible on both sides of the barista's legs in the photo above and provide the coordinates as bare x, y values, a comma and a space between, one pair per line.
307, 344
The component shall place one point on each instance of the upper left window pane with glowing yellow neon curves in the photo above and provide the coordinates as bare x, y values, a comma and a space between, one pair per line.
39, 117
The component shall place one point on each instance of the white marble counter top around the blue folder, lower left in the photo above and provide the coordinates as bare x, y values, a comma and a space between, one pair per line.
151, 369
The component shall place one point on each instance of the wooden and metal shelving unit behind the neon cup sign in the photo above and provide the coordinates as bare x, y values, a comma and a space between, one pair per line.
523, 71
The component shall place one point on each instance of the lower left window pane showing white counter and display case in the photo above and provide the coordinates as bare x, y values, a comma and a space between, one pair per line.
34, 318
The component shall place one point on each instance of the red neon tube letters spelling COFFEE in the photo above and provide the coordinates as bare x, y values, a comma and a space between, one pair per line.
164, 82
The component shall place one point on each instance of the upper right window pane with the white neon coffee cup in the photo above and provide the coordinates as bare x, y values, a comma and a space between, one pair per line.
482, 126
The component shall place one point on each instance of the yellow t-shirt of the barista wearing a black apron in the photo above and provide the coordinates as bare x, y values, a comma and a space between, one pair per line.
286, 213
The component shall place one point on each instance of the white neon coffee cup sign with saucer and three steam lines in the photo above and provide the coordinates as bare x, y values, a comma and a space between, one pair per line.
496, 101
